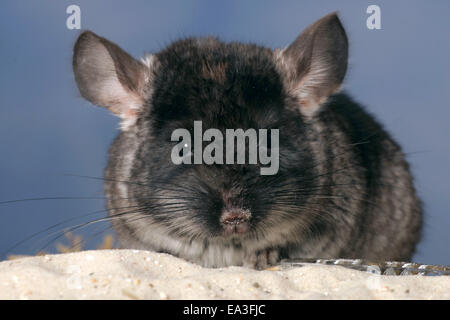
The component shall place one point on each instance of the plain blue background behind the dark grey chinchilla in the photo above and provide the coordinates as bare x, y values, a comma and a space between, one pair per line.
401, 73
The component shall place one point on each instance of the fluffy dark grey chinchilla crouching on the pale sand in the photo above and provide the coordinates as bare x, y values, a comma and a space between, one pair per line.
342, 189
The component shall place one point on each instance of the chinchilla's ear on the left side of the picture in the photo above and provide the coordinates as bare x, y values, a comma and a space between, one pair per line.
109, 77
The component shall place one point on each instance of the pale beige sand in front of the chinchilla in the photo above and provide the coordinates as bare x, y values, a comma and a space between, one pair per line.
134, 274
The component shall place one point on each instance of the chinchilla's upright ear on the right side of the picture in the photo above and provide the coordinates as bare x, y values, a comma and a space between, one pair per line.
314, 65
